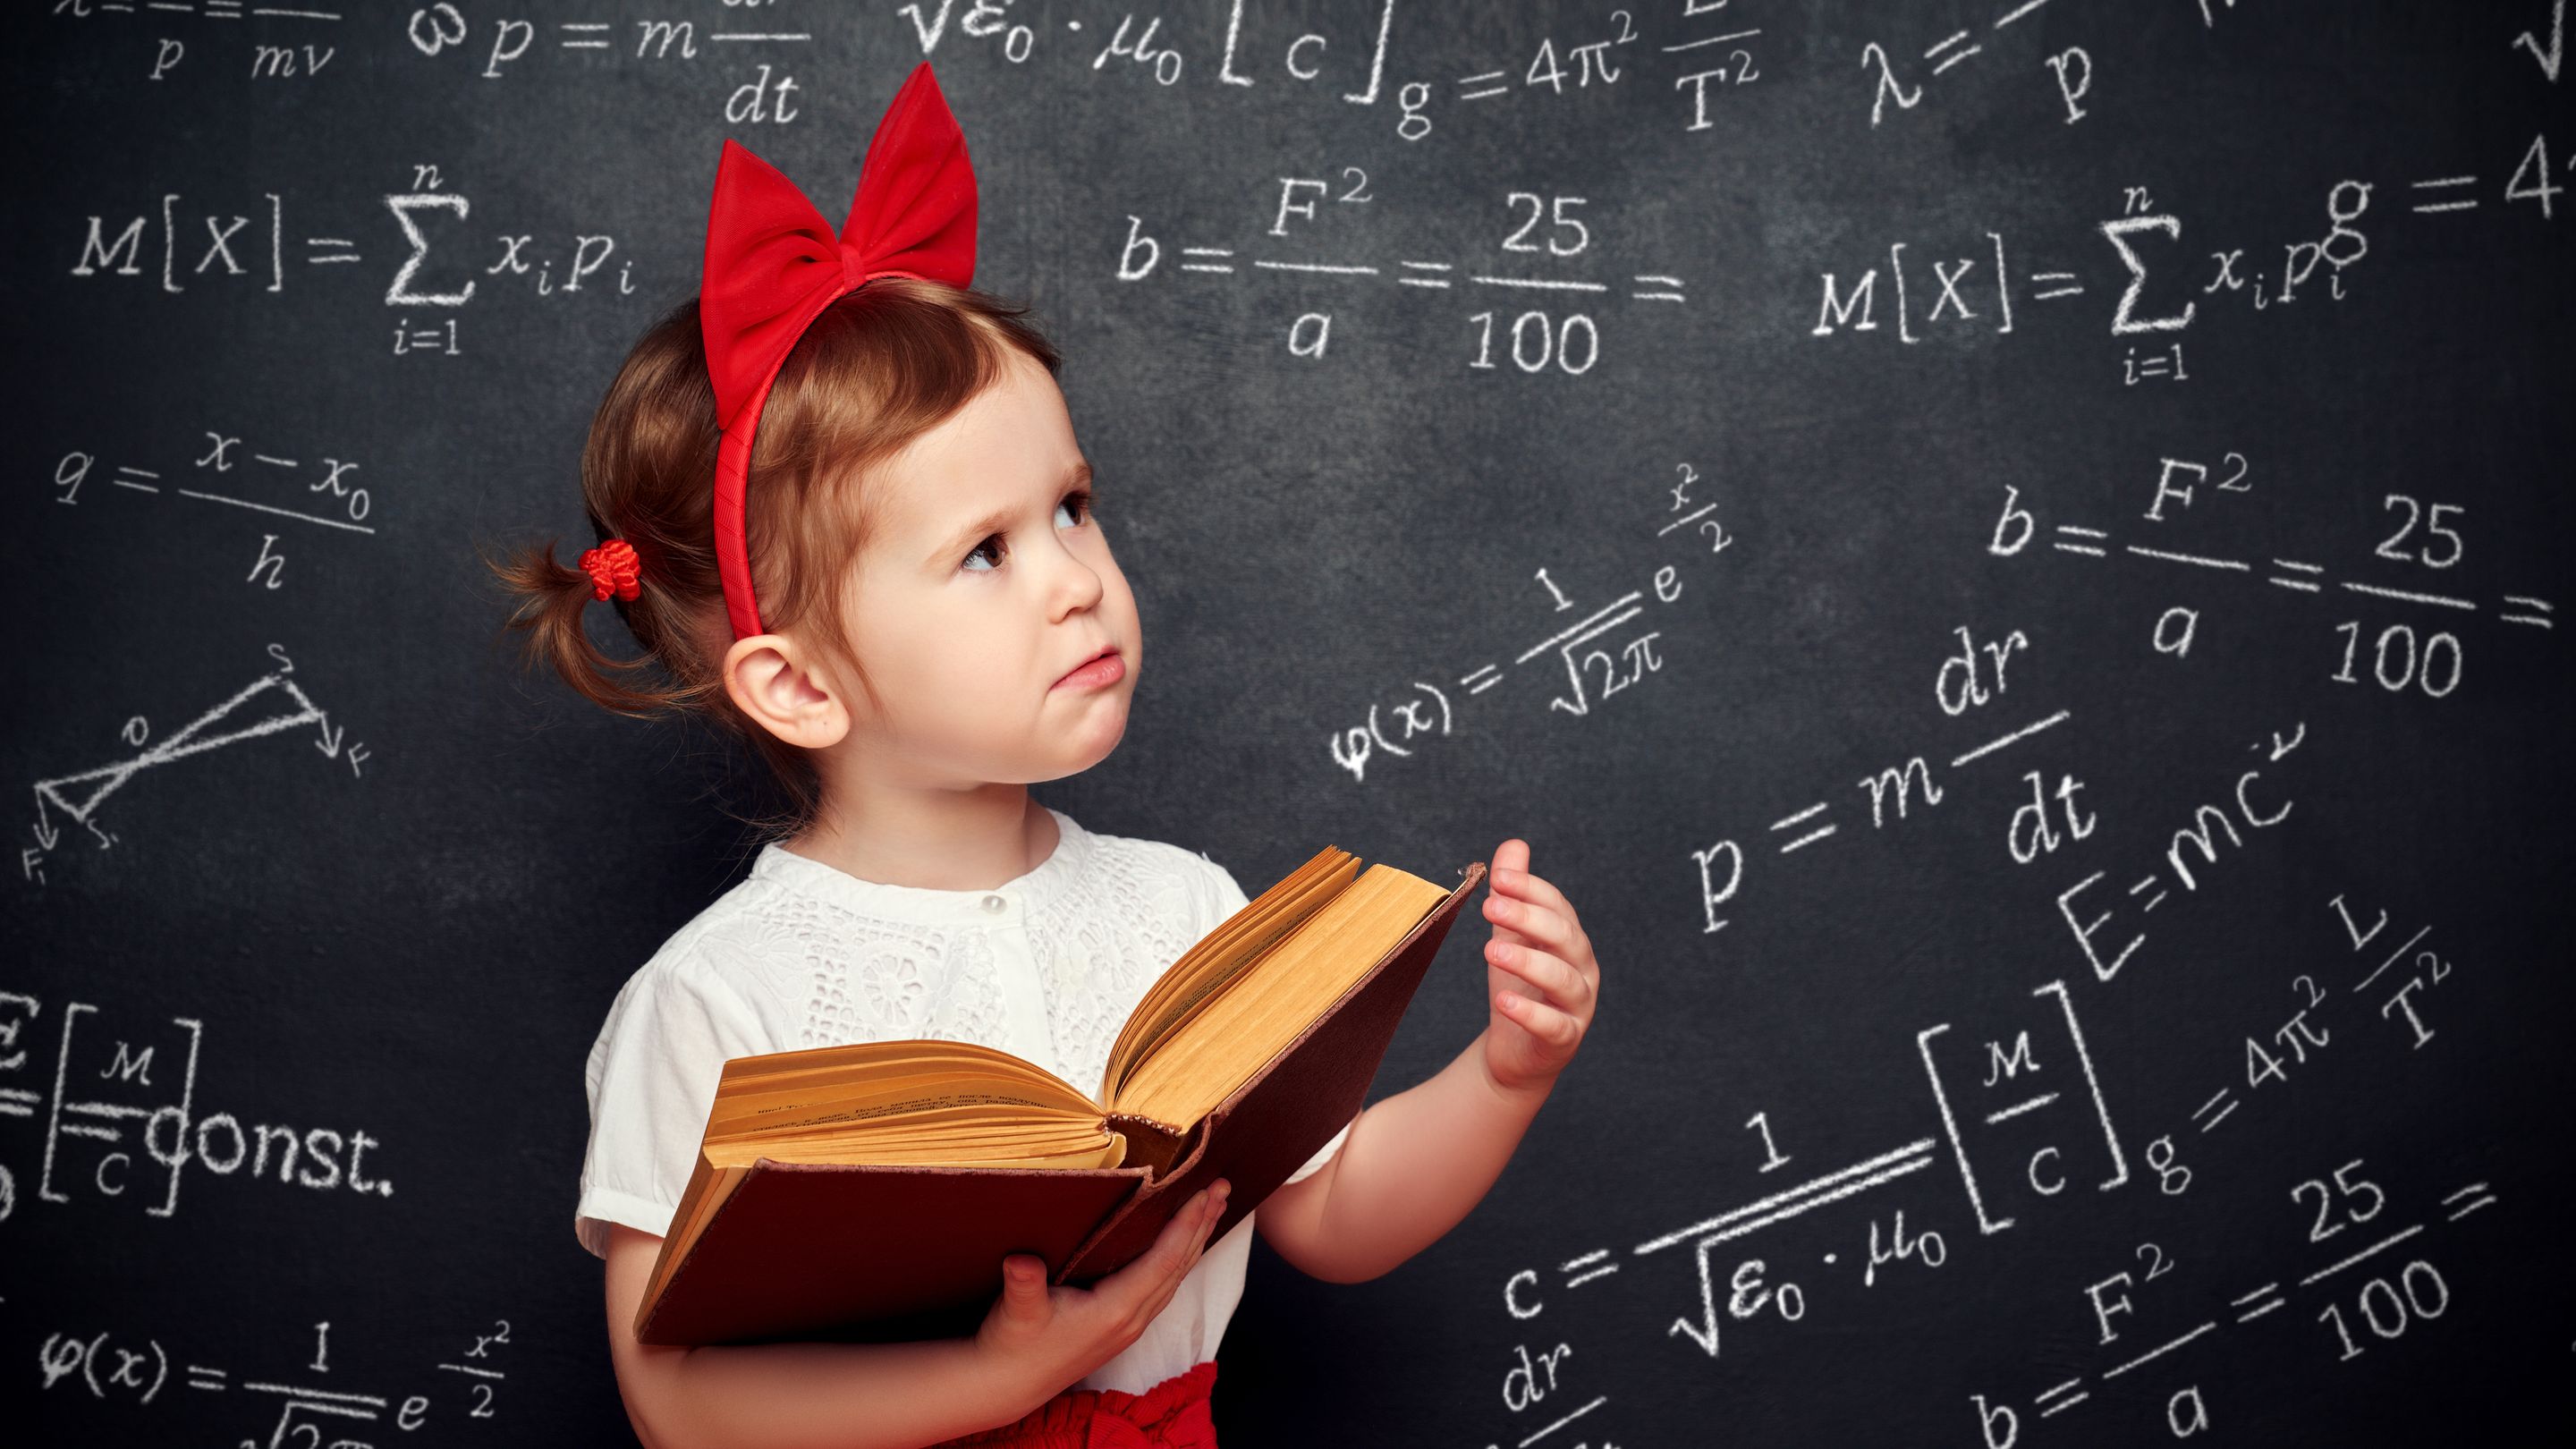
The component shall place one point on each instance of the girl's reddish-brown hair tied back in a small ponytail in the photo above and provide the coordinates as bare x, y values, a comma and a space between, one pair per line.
877, 370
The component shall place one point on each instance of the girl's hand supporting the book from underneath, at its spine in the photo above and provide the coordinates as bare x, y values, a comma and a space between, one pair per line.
1055, 1337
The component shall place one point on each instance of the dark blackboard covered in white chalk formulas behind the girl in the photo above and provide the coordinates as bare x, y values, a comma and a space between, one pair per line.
2005, 556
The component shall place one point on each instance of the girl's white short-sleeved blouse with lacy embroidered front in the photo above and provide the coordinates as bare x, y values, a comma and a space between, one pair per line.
808, 955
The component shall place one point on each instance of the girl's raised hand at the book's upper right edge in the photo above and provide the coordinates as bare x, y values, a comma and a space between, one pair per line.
1539, 976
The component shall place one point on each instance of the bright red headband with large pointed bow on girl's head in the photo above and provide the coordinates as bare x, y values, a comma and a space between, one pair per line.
774, 264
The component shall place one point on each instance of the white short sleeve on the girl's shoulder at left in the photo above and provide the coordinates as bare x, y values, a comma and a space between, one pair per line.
653, 1076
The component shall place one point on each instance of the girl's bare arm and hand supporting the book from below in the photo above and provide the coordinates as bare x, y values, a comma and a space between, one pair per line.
890, 1396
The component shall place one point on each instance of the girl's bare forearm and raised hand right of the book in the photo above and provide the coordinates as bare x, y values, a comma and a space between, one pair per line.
1423, 1159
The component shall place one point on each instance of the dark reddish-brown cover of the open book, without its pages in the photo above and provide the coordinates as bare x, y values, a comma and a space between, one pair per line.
862, 1252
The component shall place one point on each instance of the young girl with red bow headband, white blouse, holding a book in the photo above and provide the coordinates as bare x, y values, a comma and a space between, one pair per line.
905, 602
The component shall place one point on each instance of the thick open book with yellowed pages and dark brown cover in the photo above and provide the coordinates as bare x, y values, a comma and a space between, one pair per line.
875, 1190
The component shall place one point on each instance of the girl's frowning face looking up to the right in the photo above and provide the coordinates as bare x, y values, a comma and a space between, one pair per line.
985, 584
